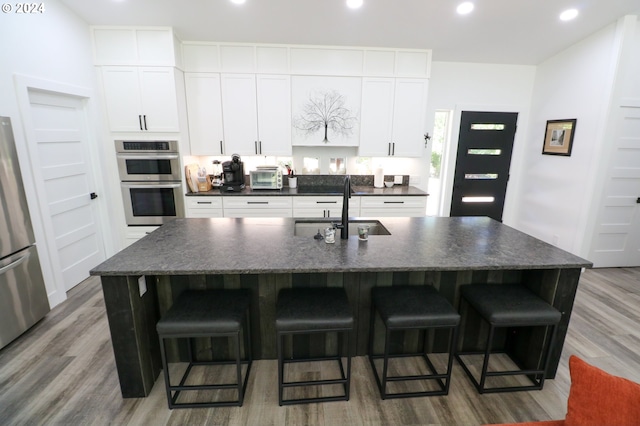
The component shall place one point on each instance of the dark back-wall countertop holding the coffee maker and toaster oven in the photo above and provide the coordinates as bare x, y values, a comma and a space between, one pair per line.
317, 190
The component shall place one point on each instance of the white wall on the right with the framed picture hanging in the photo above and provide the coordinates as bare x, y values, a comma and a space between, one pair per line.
556, 191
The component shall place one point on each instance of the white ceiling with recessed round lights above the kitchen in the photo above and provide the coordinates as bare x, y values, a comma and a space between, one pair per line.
498, 31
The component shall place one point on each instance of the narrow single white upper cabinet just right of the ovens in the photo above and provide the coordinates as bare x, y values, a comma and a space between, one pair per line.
204, 110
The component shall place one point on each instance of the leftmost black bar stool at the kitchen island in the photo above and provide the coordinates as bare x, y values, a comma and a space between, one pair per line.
207, 313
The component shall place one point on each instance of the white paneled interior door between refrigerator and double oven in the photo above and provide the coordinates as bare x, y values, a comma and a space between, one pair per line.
60, 156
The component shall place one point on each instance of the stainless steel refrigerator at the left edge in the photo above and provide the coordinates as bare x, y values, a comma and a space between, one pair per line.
23, 296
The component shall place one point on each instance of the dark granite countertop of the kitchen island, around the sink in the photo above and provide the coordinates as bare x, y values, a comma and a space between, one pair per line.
268, 245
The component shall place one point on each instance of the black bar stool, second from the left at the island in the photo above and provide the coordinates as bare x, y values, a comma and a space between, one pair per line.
309, 311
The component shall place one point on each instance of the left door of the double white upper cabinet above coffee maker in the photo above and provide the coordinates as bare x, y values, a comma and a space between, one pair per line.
240, 117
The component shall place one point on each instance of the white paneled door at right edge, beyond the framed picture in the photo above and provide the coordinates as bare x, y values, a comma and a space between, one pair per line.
617, 237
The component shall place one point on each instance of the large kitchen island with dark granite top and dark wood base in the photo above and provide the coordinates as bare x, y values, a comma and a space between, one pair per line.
141, 282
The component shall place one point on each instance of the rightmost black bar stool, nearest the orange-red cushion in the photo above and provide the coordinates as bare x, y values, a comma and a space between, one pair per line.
509, 306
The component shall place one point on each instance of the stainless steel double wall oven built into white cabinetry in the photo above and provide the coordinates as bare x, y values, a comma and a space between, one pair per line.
150, 180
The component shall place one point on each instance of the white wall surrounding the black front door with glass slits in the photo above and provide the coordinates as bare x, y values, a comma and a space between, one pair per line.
480, 87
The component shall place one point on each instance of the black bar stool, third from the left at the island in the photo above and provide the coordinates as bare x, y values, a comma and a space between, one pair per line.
403, 308
